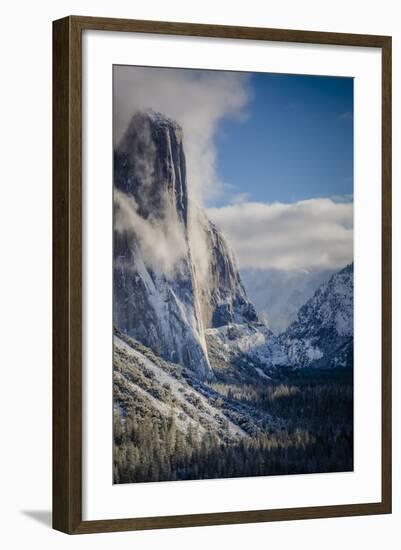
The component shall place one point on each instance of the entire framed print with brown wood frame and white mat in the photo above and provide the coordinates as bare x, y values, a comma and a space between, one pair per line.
222, 275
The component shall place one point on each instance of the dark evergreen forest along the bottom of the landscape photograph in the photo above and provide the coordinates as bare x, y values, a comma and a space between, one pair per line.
318, 437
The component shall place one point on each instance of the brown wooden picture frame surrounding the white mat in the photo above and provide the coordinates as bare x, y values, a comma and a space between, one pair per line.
67, 274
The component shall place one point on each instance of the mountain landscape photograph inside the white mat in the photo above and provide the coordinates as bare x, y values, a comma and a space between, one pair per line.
233, 262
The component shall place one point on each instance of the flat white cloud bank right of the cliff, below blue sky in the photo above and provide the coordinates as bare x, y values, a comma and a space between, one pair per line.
310, 234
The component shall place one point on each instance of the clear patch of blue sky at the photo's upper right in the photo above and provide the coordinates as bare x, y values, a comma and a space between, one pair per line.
295, 143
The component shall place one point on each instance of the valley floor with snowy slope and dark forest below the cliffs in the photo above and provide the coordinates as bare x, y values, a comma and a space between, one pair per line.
170, 426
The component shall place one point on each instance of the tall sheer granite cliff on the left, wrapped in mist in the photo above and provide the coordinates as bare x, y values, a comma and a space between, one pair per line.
160, 298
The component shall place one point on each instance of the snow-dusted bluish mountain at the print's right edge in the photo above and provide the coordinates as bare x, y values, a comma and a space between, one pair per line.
322, 333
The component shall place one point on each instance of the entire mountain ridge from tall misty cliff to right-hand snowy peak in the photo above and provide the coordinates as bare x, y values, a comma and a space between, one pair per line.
177, 288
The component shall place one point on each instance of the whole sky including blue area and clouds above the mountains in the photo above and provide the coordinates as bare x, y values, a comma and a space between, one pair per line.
265, 154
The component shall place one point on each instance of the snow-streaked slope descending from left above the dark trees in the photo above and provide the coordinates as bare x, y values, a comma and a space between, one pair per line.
162, 389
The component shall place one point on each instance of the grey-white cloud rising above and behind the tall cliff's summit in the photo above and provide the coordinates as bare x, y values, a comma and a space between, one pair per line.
197, 100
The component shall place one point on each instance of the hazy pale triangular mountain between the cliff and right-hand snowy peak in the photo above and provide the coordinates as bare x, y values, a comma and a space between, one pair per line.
279, 294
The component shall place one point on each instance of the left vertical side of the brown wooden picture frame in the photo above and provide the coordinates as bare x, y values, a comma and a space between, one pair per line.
67, 278
